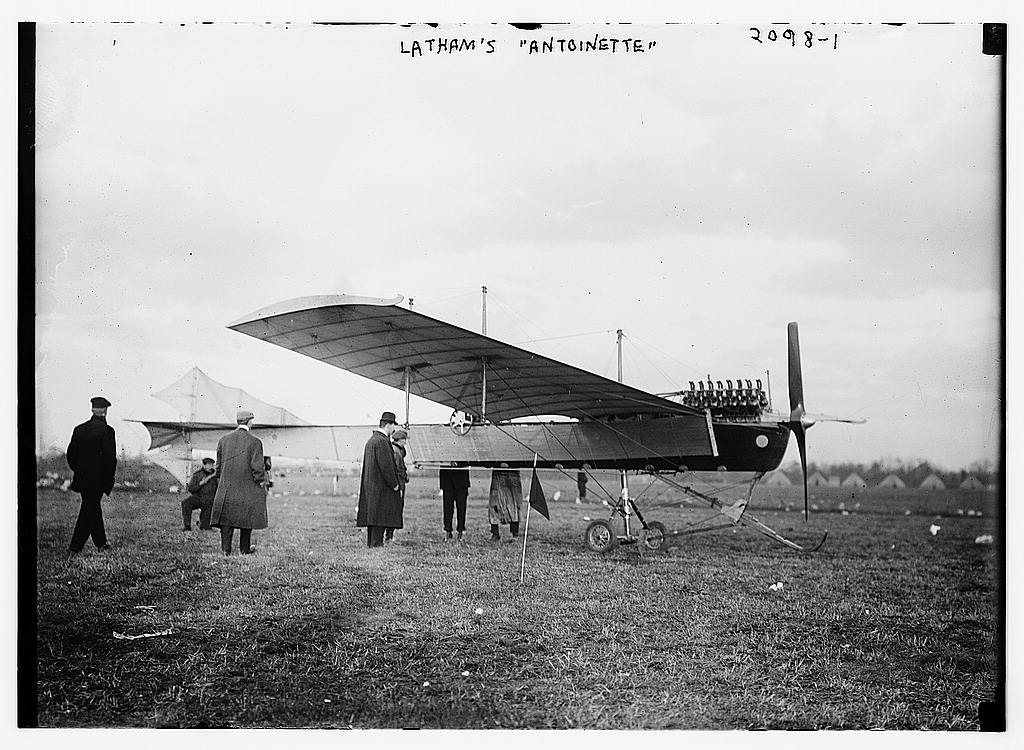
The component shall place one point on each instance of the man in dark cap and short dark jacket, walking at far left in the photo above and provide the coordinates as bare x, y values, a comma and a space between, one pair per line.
93, 456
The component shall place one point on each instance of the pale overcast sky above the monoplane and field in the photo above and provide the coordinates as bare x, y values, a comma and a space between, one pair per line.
699, 195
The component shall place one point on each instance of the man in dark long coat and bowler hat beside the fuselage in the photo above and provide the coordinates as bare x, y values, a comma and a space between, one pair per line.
379, 486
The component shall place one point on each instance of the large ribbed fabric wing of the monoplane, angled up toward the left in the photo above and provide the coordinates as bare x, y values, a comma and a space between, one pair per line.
377, 340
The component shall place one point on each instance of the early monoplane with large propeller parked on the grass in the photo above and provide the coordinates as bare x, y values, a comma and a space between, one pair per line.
500, 393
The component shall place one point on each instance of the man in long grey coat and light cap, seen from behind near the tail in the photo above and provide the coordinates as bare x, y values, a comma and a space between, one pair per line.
241, 499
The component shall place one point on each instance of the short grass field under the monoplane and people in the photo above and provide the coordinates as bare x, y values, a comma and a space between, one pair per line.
887, 627
